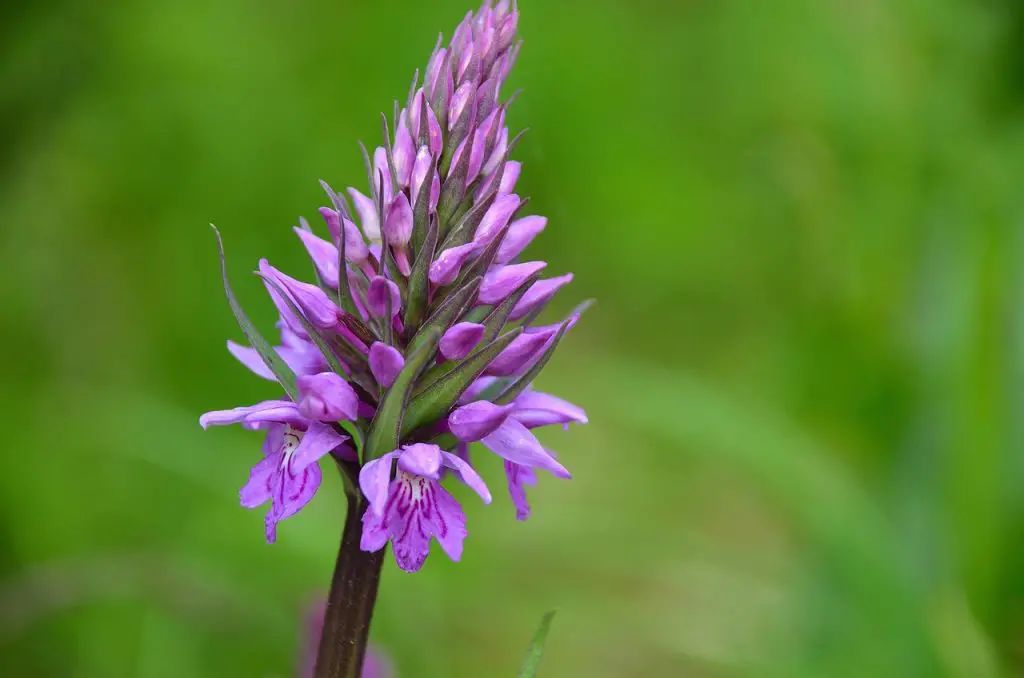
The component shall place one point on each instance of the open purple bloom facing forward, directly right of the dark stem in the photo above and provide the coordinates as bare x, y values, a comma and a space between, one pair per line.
414, 507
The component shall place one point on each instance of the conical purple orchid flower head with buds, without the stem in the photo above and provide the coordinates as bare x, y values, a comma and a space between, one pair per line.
419, 335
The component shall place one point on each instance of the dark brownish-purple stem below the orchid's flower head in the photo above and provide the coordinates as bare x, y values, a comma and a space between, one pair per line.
351, 604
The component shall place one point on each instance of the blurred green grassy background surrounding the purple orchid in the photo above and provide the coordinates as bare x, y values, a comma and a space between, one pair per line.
802, 221
